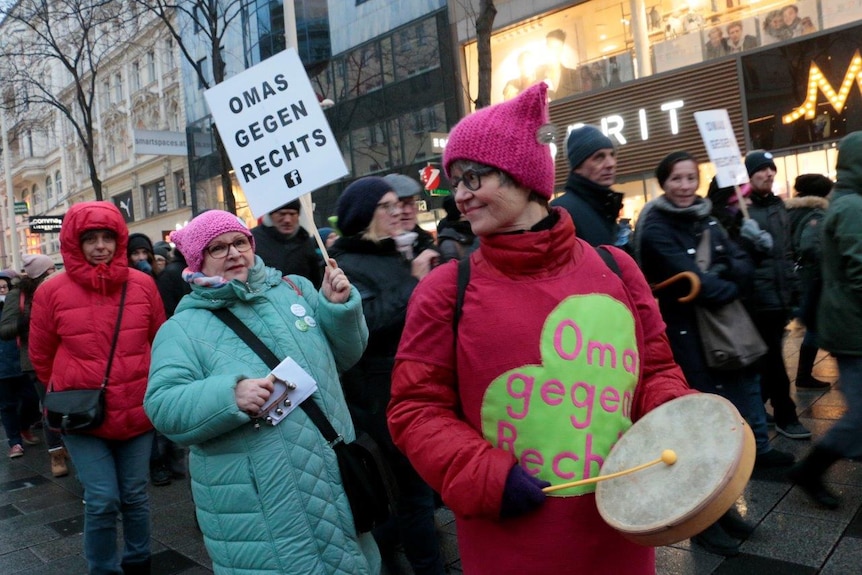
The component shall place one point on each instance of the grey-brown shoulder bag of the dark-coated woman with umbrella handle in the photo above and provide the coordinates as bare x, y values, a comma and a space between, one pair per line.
728, 337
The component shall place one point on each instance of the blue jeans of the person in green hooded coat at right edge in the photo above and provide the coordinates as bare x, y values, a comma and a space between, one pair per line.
843, 436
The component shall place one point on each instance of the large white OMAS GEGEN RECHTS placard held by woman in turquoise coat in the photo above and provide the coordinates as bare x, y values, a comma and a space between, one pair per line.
275, 132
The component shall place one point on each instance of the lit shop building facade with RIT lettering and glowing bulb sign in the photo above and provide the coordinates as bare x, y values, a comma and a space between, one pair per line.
787, 72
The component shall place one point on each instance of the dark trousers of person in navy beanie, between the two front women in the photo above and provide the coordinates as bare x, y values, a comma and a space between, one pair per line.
413, 525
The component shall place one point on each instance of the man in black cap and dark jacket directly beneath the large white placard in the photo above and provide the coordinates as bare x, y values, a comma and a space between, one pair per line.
284, 245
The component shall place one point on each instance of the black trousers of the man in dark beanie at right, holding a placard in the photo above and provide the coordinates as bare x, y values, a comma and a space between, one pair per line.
774, 383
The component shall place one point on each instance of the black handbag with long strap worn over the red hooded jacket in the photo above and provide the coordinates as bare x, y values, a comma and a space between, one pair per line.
79, 410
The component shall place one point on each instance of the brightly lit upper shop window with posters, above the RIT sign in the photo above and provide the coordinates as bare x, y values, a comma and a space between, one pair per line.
591, 46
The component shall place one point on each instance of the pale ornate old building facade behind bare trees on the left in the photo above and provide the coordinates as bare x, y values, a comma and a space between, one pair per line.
139, 124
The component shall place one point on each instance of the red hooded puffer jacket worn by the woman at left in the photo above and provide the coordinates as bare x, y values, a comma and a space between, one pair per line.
74, 315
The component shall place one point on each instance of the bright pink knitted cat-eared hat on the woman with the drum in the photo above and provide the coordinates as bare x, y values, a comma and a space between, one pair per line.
505, 136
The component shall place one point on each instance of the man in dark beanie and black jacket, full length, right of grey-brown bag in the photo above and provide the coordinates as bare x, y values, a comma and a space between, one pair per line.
771, 302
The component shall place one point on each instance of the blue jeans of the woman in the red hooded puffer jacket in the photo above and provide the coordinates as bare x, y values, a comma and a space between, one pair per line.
114, 475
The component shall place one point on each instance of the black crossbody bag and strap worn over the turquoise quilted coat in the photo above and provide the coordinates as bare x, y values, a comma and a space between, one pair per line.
367, 478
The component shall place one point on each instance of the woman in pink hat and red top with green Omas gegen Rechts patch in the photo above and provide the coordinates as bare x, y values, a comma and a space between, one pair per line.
470, 404
